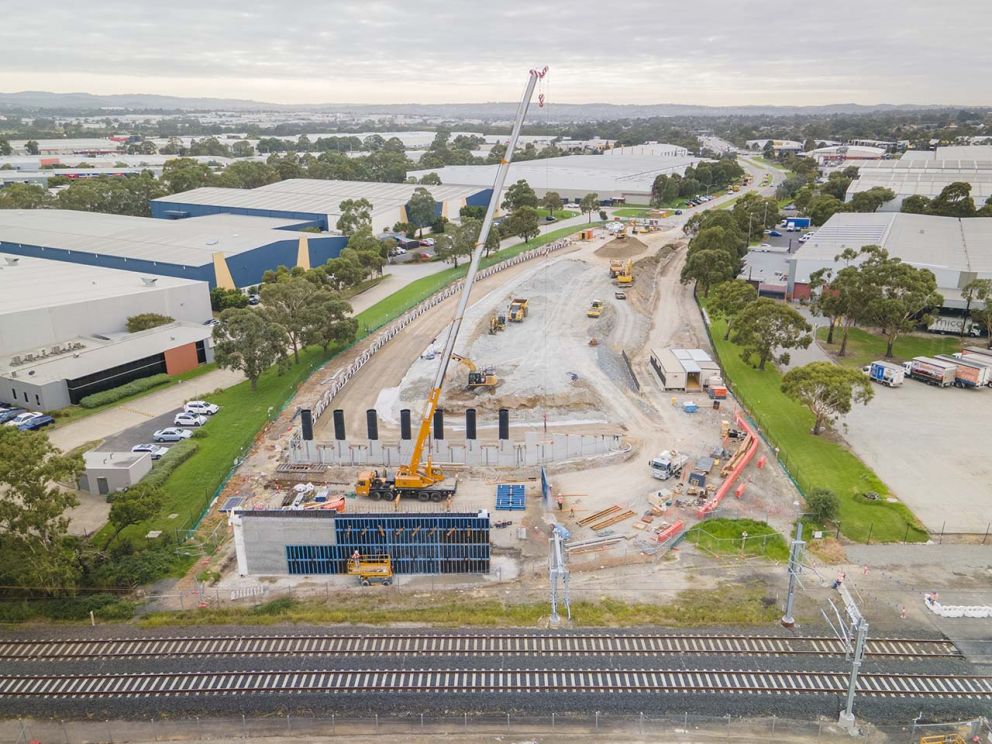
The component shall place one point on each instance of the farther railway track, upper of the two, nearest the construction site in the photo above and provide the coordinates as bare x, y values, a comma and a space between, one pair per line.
463, 645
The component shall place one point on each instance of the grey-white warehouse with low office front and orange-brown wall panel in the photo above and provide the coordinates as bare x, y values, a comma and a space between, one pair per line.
63, 329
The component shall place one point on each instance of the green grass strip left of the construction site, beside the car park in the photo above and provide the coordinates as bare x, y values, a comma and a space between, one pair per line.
228, 435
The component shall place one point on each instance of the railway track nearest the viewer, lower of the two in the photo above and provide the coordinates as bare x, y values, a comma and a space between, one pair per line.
213, 684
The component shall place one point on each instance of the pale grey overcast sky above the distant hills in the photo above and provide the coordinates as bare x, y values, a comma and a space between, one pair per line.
715, 52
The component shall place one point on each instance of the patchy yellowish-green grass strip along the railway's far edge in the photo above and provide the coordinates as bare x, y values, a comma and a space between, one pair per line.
730, 604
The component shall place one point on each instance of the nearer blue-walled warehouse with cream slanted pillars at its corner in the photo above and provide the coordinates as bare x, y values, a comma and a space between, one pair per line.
224, 250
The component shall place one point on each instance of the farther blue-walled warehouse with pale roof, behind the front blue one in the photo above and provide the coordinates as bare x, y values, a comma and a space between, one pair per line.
315, 203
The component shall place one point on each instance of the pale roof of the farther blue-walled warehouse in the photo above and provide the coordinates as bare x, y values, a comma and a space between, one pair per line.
315, 196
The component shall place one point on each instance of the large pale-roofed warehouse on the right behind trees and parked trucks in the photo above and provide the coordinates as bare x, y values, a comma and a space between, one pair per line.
957, 251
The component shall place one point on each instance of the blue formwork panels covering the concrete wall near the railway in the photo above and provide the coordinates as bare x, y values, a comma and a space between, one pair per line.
417, 543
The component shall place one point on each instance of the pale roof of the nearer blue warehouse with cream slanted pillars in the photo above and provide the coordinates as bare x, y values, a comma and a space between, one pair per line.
189, 242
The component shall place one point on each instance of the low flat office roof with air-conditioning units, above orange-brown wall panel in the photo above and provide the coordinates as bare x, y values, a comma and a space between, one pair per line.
98, 353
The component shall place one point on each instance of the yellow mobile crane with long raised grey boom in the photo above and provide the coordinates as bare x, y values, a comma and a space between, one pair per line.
424, 480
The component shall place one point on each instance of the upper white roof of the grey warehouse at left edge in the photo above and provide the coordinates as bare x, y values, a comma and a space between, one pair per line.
67, 283
